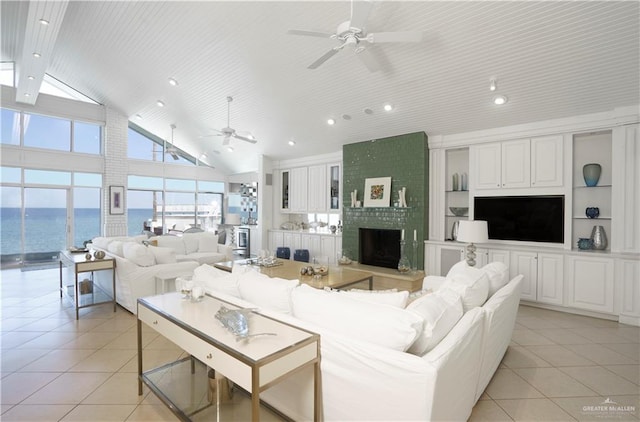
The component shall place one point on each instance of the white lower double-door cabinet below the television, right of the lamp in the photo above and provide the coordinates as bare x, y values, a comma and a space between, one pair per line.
543, 276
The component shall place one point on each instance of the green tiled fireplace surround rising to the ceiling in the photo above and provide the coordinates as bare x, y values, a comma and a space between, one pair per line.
404, 158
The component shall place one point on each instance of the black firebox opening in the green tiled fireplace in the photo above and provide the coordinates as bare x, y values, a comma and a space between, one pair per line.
379, 247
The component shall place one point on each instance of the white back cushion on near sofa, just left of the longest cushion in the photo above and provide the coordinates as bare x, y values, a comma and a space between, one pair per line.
267, 292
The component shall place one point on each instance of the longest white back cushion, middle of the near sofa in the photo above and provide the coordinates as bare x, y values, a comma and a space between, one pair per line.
383, 325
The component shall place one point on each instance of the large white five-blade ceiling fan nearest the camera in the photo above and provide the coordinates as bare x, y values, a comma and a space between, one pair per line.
352, 33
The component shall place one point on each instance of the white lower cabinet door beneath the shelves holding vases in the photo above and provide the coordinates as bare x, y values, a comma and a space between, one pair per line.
590, 283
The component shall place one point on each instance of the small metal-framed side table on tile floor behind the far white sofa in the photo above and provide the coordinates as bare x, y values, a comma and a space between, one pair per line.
95, 295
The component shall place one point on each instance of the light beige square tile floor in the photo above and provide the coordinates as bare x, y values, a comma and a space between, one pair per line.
54, 368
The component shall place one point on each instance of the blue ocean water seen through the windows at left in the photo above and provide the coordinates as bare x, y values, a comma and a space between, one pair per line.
45, 228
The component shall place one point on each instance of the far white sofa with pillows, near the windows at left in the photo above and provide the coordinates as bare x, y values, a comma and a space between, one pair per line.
138, 262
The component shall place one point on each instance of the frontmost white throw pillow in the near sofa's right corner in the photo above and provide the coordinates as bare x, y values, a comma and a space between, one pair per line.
441, 311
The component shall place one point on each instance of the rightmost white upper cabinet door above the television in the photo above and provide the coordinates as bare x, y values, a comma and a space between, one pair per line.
546, 161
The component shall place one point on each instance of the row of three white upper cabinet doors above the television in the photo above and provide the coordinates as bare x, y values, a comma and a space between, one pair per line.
536, 162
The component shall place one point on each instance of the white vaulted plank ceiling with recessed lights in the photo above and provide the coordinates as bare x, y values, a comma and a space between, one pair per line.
552, 59
